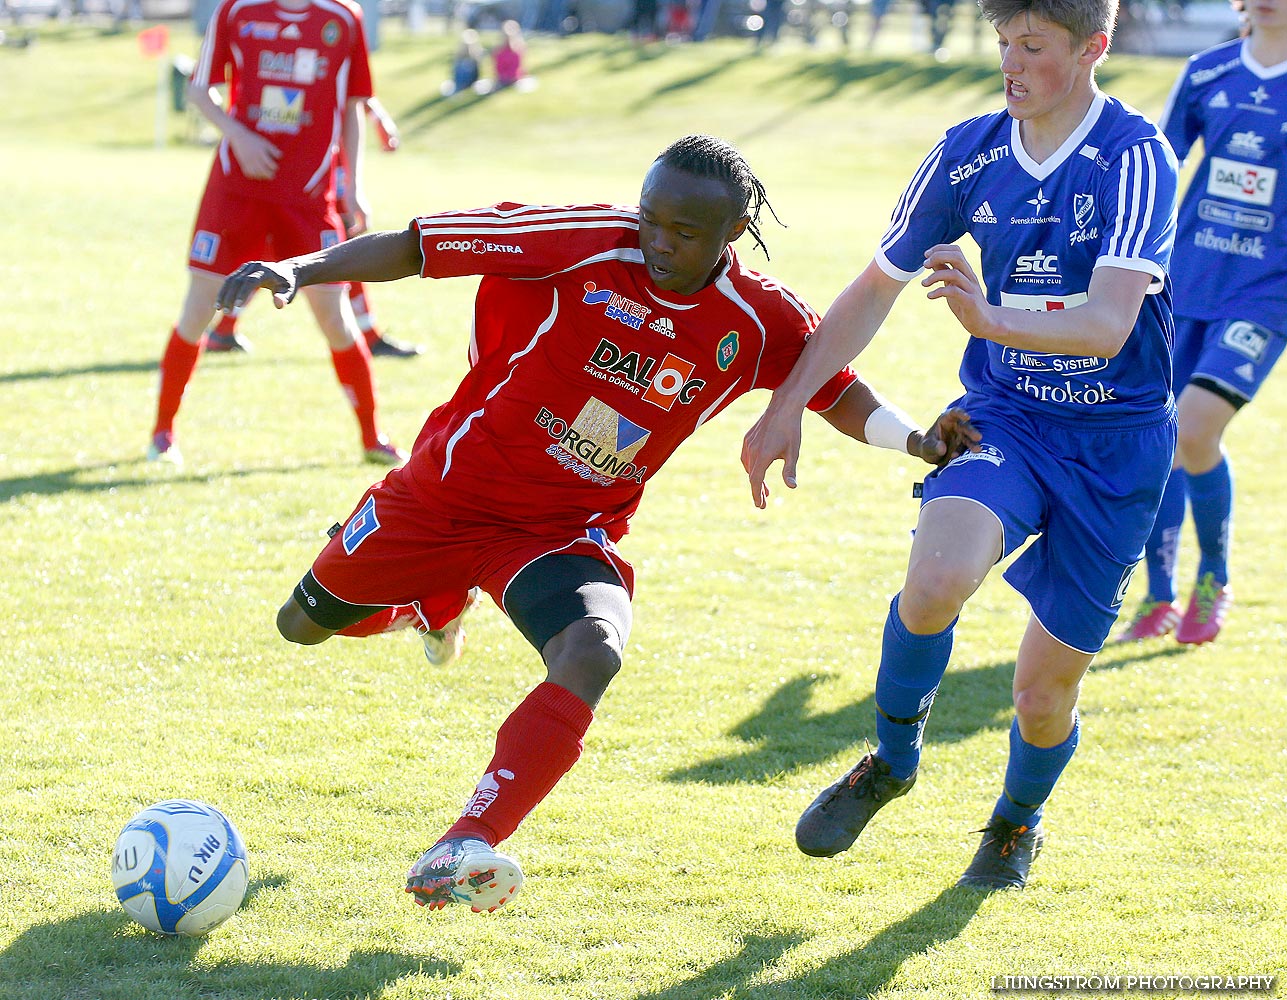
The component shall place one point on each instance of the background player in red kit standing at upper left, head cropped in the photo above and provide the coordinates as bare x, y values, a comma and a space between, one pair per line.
298, 75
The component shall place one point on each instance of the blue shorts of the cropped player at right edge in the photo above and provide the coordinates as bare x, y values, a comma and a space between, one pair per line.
1230, 357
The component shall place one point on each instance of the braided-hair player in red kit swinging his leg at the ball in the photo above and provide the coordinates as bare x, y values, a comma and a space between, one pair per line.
604, 337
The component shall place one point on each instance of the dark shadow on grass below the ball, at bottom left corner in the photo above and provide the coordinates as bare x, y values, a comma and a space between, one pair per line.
106, 957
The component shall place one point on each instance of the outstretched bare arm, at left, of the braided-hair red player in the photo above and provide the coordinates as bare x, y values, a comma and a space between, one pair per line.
373, 258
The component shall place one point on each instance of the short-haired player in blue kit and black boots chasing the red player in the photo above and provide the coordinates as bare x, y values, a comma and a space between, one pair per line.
1071, 199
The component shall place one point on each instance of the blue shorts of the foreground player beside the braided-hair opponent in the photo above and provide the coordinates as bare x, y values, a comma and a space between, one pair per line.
1089, 494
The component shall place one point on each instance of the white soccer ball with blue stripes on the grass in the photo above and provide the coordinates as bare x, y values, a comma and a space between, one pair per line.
181, 868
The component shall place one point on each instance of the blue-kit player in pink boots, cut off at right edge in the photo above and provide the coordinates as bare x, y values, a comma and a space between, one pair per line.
1231, 302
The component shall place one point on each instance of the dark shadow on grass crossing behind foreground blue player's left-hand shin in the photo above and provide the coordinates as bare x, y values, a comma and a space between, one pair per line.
786, 736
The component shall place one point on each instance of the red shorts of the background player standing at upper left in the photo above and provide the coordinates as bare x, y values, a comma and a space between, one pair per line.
234, 228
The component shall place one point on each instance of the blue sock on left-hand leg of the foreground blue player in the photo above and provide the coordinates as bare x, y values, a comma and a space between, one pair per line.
911, 670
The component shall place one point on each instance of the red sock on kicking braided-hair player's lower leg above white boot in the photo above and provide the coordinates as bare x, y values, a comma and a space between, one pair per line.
535, 748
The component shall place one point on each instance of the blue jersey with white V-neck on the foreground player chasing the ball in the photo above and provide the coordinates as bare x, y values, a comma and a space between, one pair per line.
1107, 198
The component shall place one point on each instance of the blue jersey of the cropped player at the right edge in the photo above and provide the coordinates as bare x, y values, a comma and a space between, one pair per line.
1232, 230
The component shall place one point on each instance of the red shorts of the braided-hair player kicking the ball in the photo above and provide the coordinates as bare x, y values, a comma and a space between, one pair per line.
393, 550
